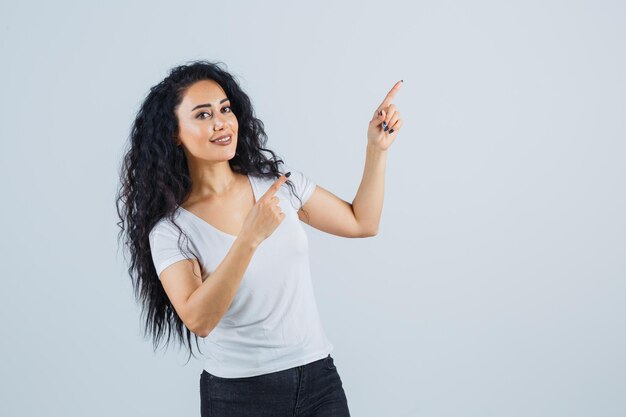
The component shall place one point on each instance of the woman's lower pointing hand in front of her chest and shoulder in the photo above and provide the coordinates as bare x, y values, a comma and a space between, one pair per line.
265, 215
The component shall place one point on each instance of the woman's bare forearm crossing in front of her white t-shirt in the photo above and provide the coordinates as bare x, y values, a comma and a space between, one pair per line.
212, 299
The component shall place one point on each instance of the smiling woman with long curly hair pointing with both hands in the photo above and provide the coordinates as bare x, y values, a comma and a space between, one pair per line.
196, 173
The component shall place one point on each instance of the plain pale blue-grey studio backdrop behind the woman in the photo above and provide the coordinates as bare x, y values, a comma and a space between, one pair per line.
497, 283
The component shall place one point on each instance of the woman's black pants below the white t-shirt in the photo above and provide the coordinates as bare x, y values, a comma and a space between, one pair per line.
311, 390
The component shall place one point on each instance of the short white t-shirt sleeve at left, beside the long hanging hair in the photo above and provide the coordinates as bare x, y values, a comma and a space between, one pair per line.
164, 246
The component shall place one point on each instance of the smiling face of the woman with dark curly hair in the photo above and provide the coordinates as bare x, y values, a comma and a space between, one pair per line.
204, 115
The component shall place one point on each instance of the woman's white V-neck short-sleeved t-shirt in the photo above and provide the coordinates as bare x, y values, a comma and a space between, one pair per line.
273, 322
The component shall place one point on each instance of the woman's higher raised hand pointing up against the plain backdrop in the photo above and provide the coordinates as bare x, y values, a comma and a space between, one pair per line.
377, 136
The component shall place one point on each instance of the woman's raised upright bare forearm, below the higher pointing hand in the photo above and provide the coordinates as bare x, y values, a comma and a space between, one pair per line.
368, 202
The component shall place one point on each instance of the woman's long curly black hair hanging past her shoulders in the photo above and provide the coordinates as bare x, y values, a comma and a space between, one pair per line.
155, 180
